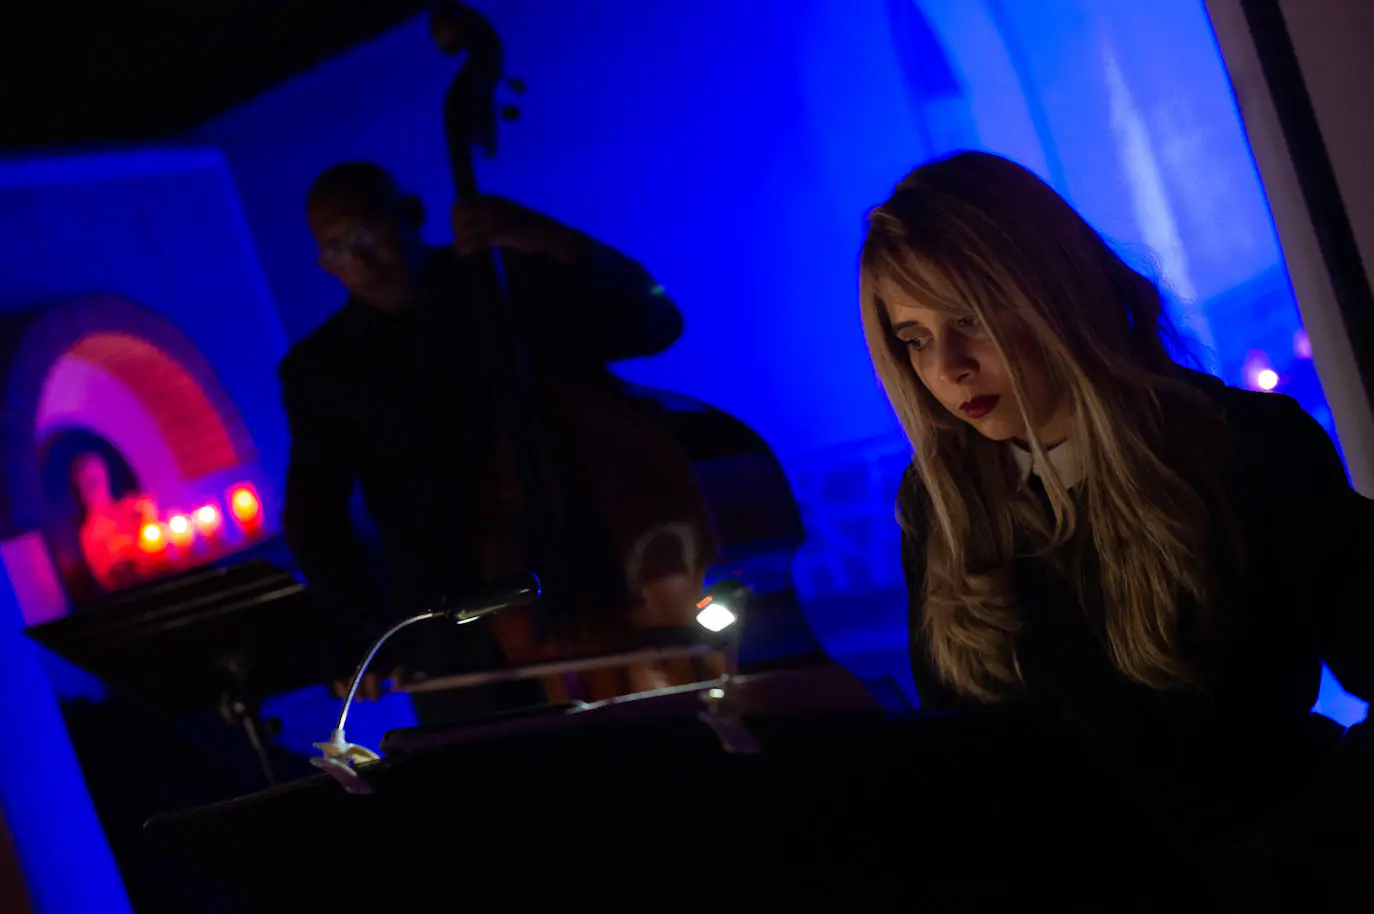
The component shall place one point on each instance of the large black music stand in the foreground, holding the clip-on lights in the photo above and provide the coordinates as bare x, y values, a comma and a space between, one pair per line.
844, 806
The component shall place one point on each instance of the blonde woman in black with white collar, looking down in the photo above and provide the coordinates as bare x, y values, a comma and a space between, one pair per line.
1093, 530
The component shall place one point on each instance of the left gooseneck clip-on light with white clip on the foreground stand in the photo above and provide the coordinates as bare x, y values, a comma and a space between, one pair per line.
340, 757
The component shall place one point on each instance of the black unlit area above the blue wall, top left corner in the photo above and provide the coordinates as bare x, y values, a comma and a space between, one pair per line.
119, 74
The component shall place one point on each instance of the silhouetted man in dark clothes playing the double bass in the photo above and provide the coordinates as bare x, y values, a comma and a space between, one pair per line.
395, 392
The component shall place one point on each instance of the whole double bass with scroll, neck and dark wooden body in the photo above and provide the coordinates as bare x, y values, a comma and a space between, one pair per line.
622, 500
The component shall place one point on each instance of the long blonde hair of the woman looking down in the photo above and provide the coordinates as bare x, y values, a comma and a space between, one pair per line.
976, 233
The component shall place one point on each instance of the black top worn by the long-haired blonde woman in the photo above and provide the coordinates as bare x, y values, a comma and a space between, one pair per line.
1213, 758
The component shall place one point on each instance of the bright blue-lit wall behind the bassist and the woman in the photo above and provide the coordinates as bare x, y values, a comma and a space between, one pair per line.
734, 148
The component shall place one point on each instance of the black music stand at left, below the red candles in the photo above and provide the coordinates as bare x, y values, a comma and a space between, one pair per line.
219, 638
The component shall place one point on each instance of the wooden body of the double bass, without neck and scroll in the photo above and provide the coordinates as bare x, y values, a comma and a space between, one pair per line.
652, 493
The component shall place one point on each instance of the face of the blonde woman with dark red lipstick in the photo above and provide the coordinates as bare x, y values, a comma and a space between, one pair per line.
956, 359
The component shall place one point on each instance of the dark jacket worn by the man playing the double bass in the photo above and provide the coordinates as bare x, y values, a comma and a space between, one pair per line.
402, 406
